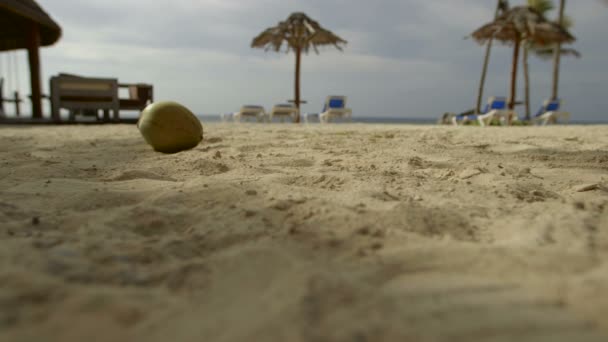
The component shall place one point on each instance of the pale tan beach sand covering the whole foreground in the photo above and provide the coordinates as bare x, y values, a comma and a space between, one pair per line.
279, 232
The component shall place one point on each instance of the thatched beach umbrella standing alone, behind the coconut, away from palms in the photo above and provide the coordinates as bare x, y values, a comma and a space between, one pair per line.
299, 33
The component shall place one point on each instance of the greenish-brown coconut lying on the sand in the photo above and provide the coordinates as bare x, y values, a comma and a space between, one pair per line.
170, 127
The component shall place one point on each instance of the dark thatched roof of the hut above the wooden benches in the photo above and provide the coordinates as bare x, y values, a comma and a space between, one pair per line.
15, 18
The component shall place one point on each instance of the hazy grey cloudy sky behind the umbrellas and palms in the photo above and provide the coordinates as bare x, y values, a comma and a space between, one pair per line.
404, 58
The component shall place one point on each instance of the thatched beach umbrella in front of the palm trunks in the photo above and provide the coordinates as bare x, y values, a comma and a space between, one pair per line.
519, 24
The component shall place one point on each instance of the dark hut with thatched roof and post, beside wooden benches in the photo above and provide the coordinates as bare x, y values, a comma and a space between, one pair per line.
25, 25
